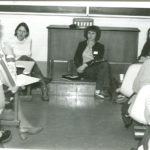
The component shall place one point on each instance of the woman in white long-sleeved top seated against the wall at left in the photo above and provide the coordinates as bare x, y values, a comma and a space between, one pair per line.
20, 47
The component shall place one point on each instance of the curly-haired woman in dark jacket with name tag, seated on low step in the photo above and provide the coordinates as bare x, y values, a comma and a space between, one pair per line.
90, 63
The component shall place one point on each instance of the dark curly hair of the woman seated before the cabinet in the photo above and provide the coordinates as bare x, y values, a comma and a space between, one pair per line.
95, 29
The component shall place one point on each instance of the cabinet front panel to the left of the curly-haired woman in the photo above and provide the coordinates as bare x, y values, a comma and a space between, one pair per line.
64, 43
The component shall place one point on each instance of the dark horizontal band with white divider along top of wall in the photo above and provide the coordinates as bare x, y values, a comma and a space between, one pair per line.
76, 10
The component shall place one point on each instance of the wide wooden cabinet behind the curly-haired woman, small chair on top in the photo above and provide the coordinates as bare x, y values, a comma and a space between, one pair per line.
120, 46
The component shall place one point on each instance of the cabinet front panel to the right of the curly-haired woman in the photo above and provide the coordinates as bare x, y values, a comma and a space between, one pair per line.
120, 46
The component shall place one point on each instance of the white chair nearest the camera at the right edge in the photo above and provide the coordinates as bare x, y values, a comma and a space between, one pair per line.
139, 111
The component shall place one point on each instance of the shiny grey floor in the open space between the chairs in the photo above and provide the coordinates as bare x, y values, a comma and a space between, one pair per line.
74, 123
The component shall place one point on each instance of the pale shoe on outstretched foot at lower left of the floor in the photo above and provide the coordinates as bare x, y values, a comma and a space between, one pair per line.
31, 130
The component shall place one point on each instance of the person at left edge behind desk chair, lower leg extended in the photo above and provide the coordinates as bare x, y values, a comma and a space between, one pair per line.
25, 127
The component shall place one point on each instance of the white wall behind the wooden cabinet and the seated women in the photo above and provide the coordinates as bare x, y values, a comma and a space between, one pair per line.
38, 23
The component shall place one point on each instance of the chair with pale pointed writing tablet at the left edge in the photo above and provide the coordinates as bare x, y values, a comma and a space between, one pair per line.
14, 84
